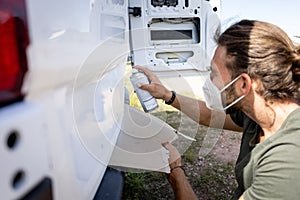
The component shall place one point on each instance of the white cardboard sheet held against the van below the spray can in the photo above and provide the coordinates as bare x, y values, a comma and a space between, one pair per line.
139, 145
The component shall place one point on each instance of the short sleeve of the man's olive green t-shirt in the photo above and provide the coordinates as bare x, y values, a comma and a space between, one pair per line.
276, 175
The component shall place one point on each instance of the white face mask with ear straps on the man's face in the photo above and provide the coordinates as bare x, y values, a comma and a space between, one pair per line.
213, 96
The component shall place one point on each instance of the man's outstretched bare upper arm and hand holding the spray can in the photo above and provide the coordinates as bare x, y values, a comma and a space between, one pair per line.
195, 109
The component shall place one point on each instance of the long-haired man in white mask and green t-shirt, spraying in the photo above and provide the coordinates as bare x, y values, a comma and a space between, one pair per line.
260, 68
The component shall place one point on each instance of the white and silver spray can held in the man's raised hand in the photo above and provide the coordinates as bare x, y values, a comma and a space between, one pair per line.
147, 101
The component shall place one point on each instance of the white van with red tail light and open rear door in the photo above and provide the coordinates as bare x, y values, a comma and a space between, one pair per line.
62, 96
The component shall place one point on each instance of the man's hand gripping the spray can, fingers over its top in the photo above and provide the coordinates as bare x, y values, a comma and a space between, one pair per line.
156, 88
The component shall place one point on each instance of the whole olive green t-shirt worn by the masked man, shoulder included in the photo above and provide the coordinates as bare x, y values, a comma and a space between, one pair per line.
273, 171
